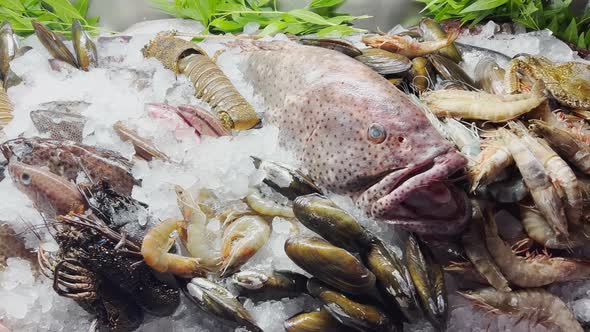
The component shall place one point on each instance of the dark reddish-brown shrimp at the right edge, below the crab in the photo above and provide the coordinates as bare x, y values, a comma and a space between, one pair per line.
565, 144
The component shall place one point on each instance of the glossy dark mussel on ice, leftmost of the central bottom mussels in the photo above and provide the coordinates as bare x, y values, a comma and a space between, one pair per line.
218, 301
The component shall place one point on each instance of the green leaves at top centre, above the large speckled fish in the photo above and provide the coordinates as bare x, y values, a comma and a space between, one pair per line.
230, 16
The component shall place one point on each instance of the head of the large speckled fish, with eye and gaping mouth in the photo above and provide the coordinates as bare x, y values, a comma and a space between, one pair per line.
388, 154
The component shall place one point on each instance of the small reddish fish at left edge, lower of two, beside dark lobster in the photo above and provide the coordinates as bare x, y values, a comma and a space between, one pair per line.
52, 195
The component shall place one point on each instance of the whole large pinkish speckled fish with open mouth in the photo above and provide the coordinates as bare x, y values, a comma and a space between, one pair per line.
357, 134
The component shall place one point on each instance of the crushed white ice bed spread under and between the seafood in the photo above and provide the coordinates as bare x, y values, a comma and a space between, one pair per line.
118, 91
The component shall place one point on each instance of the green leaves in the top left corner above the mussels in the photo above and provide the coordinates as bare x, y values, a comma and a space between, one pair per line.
57, 15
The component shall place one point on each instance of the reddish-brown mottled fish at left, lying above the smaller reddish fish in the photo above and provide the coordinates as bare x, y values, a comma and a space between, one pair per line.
69, 159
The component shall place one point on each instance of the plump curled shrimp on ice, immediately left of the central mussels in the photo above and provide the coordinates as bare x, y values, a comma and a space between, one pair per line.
241, 240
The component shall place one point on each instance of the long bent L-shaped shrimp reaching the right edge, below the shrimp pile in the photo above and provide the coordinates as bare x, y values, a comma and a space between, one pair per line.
530, 271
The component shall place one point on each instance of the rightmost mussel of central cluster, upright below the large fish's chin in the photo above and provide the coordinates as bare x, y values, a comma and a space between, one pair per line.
428, 278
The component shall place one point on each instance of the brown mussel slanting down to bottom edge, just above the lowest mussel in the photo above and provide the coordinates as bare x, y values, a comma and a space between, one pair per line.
362, 317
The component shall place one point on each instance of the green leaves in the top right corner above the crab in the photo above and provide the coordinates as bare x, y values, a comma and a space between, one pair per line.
555, 15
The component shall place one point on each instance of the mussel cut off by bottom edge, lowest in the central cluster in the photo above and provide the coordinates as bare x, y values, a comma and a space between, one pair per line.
317, 321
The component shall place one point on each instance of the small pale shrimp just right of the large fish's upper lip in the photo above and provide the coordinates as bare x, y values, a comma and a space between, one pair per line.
493, 159
